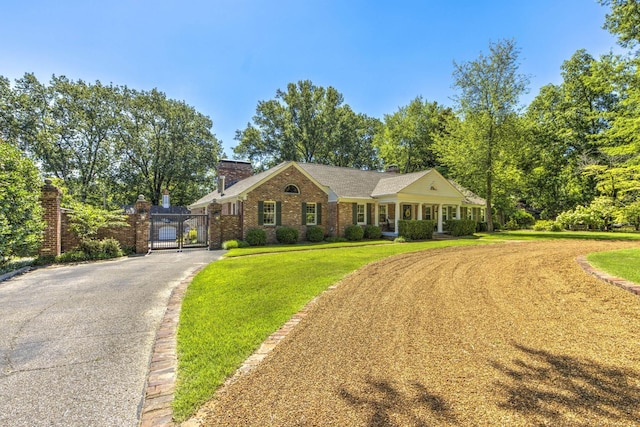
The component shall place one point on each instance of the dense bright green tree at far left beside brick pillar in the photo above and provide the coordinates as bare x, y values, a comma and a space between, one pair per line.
20, 210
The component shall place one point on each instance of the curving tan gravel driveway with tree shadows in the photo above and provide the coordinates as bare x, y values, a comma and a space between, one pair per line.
506, 334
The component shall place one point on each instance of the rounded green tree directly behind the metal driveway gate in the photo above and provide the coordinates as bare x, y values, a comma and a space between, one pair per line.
164, 144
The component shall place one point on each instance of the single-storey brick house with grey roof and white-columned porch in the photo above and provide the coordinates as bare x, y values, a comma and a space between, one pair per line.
303, 194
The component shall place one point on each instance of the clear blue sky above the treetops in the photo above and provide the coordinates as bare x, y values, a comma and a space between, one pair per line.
223, 56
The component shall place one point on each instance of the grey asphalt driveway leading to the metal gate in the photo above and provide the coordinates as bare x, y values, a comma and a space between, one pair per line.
75, 341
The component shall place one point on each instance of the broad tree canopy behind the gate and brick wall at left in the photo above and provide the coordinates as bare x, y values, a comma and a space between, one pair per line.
110, 143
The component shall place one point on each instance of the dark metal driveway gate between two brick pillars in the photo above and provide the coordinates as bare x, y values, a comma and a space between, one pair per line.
177, 231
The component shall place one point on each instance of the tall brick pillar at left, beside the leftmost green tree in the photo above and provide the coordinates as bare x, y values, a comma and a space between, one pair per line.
50, 200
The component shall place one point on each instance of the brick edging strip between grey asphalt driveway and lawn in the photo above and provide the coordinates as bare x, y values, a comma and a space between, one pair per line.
156, 410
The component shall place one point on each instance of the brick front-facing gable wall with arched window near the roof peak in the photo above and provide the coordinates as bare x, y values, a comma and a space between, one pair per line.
291, 204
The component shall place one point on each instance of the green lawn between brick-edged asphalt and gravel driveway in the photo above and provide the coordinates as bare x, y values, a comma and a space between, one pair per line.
234, 304
